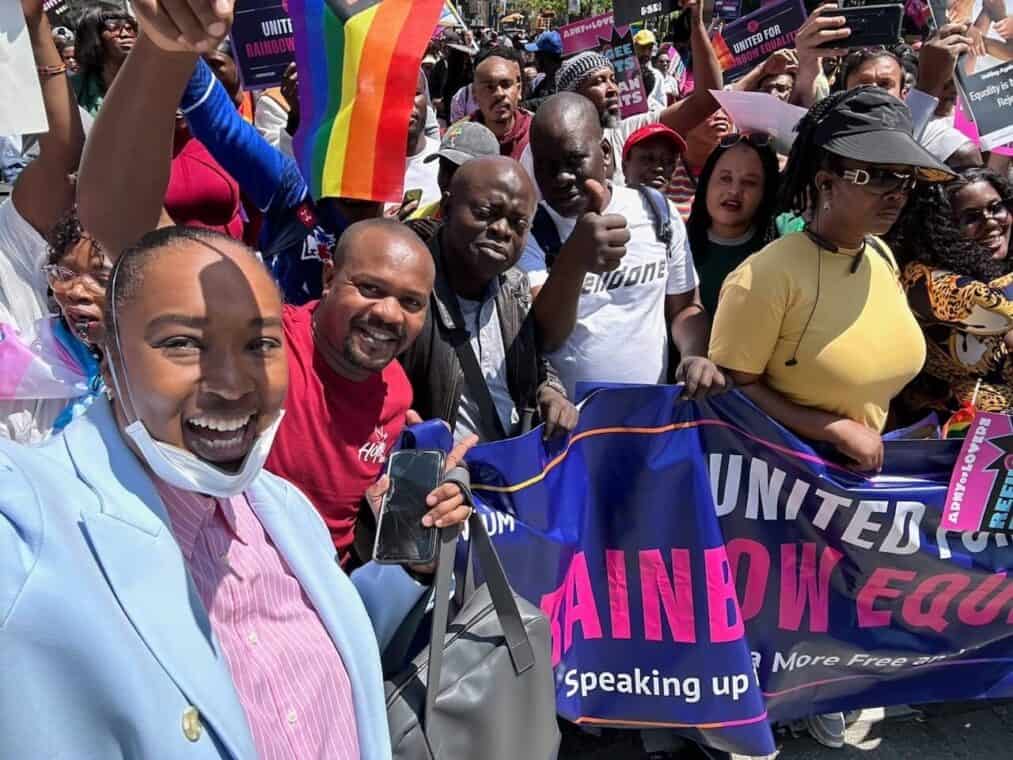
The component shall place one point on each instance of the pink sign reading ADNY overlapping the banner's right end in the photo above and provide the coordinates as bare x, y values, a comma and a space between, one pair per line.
981, 490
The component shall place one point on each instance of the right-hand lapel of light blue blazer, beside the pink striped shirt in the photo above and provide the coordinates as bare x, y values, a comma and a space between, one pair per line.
314, 564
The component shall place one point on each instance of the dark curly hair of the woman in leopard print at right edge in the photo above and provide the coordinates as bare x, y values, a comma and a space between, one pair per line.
928, 231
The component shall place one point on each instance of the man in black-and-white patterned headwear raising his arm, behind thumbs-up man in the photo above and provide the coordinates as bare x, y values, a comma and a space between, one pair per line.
591, 74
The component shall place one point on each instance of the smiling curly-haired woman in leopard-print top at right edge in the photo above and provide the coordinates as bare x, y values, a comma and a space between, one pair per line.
954, 241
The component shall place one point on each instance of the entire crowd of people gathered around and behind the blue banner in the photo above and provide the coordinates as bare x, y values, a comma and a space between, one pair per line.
241, 347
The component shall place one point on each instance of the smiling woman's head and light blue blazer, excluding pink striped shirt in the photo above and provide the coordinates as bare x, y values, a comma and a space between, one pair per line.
106, 649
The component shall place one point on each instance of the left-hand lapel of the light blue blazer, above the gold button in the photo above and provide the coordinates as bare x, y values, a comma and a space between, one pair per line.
146, 572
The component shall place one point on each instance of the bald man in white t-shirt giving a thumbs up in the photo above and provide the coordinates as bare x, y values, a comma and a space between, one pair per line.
609, 299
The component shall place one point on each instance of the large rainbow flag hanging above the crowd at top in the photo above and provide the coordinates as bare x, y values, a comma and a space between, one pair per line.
358, 65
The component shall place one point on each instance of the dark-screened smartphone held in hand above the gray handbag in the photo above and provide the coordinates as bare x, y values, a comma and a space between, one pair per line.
402, 538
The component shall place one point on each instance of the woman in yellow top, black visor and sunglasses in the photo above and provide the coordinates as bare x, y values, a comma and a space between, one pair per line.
815, 328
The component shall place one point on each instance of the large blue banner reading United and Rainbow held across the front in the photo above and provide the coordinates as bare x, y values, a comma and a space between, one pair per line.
704, 569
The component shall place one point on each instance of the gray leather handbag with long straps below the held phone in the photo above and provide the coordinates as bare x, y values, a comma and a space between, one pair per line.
488, 693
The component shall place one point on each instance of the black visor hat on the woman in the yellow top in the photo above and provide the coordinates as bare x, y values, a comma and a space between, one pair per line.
871, 125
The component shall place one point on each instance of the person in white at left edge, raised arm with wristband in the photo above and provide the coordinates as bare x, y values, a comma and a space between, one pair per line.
42, 195
